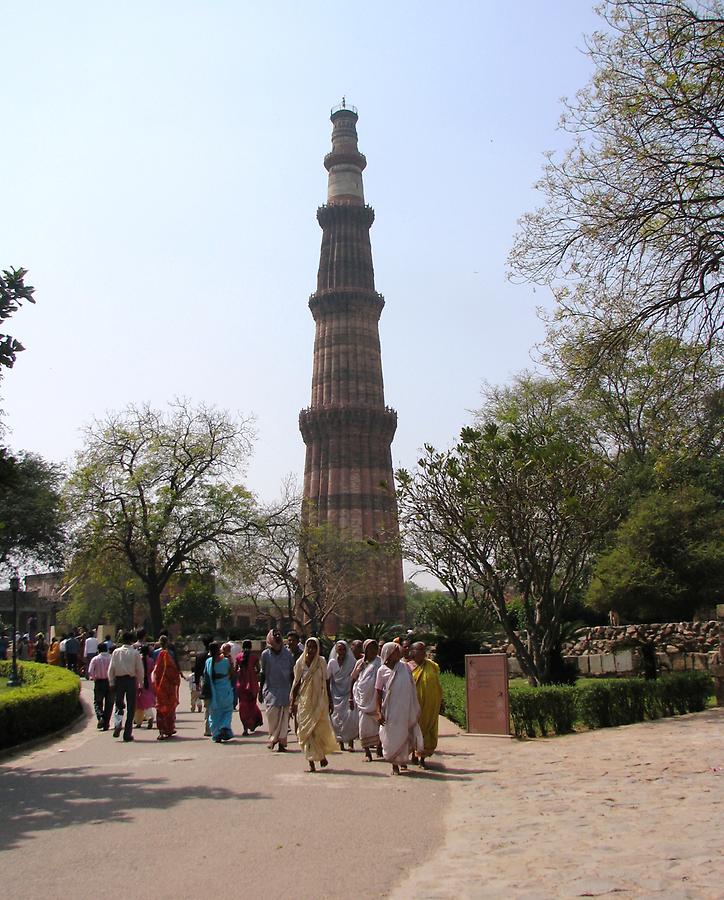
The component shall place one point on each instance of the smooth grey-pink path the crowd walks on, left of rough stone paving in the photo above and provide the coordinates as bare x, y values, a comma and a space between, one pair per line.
89, 815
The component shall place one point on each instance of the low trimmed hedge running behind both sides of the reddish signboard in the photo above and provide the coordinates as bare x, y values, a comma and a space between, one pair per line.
590, 703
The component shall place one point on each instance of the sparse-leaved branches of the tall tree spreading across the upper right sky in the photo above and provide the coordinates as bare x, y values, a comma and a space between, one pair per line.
630, 230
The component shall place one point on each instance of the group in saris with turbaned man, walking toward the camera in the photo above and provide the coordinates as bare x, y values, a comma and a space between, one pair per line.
389, 700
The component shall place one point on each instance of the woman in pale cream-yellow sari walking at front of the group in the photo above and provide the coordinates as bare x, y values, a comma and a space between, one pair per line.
311, 705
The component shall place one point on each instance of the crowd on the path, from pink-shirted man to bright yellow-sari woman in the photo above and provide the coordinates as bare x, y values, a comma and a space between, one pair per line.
387, 698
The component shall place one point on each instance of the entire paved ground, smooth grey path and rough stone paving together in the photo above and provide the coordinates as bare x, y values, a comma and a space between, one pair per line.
635, 811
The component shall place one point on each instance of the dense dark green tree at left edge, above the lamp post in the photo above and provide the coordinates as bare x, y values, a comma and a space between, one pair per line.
31, 519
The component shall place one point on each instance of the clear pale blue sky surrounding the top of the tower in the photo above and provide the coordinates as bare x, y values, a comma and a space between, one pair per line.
161, 167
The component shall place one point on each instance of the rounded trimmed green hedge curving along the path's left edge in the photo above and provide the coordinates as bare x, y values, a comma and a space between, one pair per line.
48, 699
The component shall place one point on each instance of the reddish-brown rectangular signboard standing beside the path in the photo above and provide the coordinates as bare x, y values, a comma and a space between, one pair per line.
486, 685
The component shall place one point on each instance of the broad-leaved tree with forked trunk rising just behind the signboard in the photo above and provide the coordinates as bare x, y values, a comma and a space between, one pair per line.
523, 501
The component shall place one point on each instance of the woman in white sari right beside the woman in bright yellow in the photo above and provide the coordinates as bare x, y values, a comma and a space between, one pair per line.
398, 710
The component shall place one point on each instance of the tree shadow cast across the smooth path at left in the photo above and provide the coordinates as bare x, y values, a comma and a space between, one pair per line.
36, 801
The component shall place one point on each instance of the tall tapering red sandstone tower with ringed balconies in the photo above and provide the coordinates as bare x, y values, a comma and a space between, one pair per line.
347, 429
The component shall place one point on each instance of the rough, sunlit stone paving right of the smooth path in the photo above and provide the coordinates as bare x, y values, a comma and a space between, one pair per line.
632, 812
